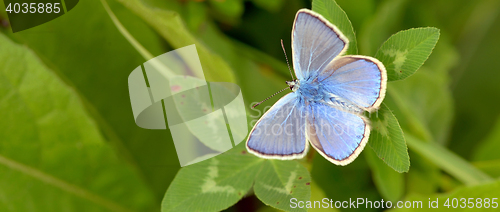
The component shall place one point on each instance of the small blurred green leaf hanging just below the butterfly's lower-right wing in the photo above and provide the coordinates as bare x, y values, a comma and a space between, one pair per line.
389, 182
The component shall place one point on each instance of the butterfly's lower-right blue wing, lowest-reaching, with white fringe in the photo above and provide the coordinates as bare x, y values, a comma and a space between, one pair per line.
337, 135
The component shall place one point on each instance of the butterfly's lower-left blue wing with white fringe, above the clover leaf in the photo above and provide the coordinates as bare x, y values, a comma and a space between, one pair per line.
280, 132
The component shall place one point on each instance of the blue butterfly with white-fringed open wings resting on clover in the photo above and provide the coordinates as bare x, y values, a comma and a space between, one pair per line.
329, 96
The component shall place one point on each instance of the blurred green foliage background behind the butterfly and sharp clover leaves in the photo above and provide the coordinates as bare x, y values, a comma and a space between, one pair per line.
68, 141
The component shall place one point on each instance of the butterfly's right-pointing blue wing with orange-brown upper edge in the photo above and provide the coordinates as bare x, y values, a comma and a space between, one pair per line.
361, 80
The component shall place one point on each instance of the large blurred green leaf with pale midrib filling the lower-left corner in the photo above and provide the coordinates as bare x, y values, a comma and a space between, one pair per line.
50, 148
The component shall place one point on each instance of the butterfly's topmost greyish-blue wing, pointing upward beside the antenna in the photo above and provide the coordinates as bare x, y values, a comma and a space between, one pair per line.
315, 42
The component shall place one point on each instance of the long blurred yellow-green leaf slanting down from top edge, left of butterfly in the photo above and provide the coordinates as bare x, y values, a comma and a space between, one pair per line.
170, 25
